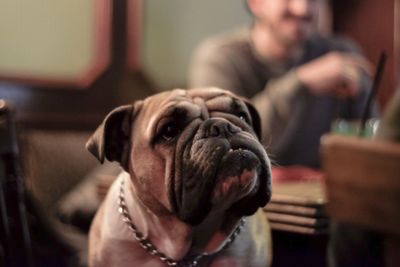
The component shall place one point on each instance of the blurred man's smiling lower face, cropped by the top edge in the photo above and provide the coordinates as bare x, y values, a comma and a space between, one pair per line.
290, 21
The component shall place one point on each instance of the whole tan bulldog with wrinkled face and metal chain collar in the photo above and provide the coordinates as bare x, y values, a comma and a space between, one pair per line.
194, 175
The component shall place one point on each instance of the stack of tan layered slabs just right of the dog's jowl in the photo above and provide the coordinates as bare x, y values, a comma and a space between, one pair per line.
298, 206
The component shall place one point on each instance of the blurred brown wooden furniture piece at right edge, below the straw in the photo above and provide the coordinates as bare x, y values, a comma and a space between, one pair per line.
363, 187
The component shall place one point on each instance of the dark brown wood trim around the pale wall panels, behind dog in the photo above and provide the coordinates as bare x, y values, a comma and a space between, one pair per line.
39, 107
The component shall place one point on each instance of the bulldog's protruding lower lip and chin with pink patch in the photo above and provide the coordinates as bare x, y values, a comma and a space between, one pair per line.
238, 176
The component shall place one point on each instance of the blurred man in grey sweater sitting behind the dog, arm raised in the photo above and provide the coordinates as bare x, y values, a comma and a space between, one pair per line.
299, 80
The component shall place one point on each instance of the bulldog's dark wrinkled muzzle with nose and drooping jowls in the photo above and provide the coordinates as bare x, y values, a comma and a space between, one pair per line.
218, 164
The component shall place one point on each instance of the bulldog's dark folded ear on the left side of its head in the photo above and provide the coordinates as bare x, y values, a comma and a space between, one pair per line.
111, 140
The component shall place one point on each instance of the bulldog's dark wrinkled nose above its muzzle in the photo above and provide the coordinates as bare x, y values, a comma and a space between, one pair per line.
219, 128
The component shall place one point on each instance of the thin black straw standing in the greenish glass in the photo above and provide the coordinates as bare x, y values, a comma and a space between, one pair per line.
373, 92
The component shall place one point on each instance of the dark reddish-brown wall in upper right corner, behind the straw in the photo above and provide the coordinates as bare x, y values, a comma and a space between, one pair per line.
372, 24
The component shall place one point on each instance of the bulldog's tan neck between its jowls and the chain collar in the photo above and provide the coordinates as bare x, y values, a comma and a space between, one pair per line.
173, 237
